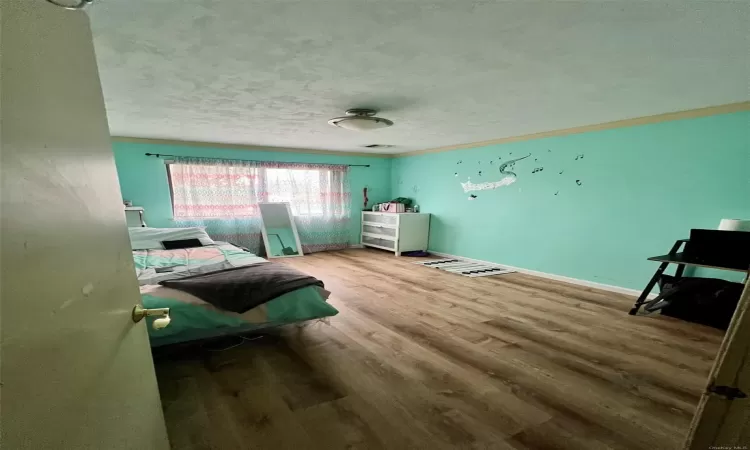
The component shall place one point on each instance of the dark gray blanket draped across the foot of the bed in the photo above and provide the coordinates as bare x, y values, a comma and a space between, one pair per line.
243, 288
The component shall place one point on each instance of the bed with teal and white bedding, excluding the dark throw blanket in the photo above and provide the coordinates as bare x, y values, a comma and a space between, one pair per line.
193, 318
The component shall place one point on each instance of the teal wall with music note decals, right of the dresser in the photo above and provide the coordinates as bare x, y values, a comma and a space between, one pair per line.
641, 188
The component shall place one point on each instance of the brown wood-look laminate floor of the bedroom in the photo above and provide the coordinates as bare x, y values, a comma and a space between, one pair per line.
423, 359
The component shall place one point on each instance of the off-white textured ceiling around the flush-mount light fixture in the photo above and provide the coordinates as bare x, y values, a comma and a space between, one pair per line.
271, 73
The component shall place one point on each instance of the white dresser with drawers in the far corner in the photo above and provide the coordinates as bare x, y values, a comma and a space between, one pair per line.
397, 232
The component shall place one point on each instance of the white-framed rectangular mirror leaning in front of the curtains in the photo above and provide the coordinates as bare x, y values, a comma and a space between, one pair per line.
279, 231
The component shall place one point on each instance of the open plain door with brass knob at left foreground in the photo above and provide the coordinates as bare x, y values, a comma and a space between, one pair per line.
76, 371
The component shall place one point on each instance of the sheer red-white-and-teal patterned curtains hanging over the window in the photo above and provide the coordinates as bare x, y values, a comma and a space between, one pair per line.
223, 196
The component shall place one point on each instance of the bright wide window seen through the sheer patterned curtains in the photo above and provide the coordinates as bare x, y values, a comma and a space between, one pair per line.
232, 189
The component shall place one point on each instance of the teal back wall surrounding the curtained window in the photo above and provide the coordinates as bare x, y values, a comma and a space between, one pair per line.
143, 179
